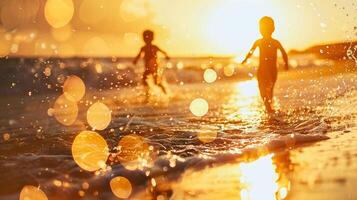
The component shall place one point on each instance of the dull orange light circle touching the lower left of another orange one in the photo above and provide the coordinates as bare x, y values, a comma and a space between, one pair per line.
65, 111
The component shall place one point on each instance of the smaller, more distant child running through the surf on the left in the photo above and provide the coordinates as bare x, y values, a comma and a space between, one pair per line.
150, 58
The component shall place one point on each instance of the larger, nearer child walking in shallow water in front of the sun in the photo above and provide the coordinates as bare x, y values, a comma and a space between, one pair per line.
267, 71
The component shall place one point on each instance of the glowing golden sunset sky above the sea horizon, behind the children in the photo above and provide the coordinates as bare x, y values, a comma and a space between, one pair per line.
182, 27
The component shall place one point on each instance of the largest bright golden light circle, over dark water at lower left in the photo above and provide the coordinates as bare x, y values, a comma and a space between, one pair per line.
90, 151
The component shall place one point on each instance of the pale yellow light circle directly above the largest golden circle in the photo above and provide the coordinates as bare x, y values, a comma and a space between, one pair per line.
99, 116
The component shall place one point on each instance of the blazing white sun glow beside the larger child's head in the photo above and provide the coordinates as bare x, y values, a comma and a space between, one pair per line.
232, 26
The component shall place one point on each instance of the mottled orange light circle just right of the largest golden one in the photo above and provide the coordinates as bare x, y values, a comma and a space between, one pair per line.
134, 152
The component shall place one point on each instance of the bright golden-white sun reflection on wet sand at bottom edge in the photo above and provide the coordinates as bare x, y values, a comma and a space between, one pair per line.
255, 180
